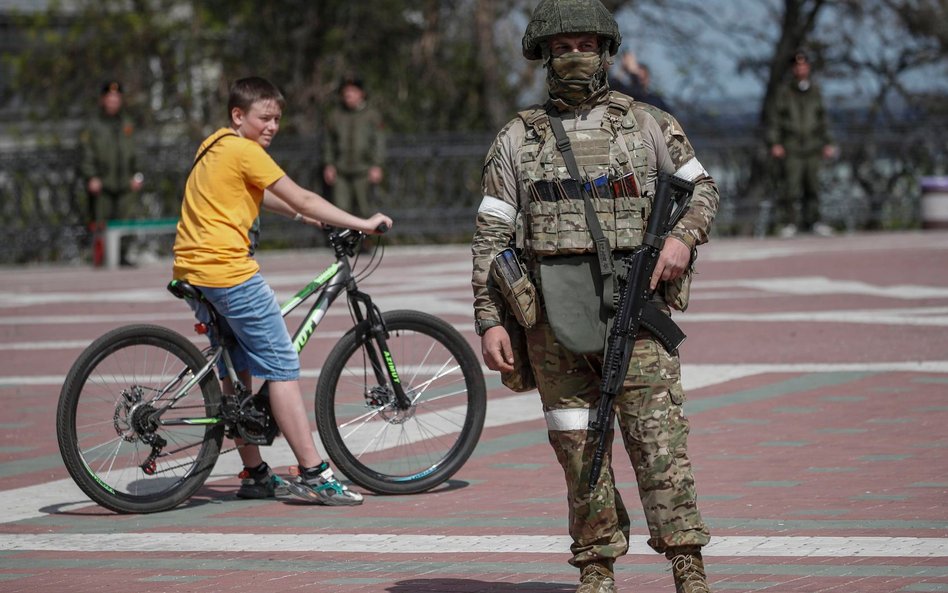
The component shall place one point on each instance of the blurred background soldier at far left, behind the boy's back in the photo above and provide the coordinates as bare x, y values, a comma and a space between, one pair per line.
108, 168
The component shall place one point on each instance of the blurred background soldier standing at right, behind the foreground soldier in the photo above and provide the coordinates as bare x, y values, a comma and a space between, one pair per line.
799, 137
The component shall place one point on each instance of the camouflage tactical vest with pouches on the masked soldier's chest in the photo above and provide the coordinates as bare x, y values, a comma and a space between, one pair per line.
613, 159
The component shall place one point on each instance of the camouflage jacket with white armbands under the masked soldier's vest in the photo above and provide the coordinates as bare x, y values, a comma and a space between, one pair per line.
505, 197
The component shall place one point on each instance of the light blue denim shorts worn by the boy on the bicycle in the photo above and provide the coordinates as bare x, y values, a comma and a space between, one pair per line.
252, 313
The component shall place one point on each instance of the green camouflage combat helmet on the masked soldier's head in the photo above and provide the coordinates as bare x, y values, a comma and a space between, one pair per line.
552, 17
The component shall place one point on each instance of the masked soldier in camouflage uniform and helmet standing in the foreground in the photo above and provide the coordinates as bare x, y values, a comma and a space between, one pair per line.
613, 135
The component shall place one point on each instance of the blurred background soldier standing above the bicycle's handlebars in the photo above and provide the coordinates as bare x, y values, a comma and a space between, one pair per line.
353, 149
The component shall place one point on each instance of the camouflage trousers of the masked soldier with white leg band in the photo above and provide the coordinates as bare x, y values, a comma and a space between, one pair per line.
654, 430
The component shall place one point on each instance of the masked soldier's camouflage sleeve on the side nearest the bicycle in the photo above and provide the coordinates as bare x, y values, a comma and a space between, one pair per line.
496, 218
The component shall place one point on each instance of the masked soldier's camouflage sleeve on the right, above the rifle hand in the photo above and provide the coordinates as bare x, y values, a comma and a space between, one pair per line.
676, 155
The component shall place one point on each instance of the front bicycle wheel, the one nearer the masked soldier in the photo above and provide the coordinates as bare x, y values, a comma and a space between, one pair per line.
390, 452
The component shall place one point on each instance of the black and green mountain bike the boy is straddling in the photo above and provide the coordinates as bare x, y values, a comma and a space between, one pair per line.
400, 401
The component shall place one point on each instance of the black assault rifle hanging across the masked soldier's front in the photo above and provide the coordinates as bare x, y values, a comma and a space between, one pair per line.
634, 309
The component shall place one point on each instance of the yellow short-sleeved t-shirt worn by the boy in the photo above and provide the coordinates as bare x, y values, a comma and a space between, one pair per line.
217, 231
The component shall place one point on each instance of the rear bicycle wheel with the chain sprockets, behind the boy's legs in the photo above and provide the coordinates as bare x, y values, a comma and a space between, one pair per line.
98, 426
